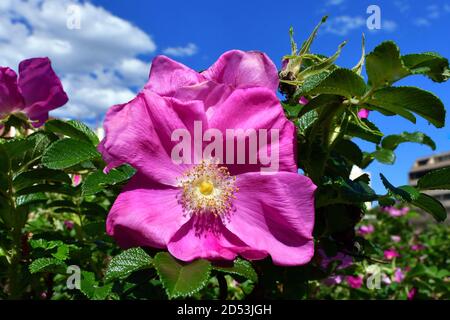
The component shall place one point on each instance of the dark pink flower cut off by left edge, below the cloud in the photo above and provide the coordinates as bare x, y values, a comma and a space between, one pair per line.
35, 92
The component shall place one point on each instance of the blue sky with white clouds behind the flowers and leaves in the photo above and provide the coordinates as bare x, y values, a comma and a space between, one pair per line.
107, 60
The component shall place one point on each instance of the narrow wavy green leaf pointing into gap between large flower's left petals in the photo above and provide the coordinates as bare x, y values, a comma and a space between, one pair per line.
96, 181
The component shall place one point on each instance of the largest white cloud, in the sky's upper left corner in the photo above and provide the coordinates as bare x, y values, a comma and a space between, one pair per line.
97, 63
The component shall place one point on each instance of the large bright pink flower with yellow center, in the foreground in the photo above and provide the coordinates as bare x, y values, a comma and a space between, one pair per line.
207, 210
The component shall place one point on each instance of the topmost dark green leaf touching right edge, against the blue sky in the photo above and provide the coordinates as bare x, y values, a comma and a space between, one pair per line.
430, 64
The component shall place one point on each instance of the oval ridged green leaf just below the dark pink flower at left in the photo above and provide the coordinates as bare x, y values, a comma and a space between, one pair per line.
68, 152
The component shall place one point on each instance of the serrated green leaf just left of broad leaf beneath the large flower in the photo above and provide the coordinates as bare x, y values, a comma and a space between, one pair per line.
122, 265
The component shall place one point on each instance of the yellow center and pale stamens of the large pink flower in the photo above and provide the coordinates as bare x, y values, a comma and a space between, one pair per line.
207, 188
